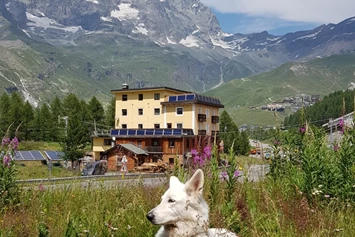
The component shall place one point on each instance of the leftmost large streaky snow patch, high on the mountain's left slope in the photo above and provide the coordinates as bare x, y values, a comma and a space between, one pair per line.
45, 22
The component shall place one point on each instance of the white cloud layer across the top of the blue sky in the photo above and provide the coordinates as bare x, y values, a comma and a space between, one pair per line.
310, 11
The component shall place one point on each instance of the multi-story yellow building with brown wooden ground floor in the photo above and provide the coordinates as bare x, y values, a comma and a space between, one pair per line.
157, 123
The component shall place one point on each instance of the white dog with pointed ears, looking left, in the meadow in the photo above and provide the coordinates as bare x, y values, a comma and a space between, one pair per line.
183, 212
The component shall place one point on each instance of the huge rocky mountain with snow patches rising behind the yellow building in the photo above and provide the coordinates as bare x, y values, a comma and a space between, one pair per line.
91, 46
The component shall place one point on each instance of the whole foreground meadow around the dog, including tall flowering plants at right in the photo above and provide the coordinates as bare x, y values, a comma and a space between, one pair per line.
308, 192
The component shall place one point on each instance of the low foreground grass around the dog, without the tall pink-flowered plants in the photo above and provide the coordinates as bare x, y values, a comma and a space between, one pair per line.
263, 209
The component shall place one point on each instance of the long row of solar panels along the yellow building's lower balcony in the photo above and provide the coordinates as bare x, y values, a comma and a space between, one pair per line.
151, 132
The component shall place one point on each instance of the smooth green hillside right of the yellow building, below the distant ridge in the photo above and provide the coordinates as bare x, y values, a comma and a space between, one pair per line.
317, 77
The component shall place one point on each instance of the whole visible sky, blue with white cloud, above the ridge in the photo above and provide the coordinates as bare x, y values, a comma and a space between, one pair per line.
278, 17
